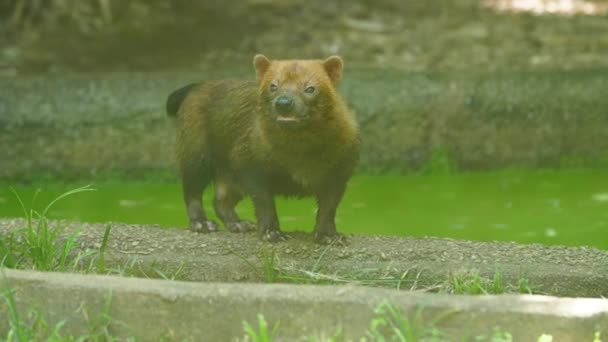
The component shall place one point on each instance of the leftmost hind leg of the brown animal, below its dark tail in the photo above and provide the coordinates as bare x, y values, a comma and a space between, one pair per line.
196, 175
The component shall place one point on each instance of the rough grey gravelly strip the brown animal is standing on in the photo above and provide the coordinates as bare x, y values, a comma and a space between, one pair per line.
406, 263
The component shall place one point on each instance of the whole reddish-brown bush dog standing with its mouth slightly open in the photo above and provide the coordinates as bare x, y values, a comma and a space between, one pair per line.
232, 133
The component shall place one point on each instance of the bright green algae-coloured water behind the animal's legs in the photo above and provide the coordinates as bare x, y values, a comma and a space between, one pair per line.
565, 207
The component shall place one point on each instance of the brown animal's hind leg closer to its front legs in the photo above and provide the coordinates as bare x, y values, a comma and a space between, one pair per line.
227, 195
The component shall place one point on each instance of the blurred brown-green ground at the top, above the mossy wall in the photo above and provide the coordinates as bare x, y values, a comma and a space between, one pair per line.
109, 35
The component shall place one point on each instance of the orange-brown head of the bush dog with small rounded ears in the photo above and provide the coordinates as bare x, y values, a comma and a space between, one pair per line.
296, 93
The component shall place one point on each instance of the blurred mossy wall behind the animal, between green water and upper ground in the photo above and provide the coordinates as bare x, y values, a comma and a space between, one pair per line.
84, 125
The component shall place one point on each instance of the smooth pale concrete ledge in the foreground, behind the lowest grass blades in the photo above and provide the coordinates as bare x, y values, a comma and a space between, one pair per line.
149, 309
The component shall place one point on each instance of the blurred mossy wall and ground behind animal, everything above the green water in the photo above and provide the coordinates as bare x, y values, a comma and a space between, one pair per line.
463, 84
